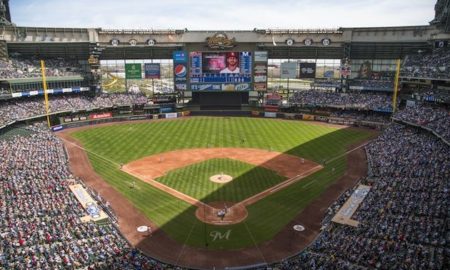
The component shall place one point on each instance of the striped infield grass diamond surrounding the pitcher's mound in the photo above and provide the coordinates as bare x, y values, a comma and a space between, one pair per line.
194, 180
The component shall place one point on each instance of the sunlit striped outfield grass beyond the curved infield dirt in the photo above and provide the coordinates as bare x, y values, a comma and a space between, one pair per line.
123, 143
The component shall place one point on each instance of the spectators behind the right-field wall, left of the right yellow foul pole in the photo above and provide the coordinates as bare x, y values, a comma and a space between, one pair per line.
342, 100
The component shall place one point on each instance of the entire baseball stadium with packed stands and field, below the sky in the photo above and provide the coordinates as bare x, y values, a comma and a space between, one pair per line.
243, 149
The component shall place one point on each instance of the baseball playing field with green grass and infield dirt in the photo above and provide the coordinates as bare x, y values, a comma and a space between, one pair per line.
164, 168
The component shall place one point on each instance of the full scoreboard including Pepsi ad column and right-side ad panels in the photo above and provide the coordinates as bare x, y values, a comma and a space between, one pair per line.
209, 71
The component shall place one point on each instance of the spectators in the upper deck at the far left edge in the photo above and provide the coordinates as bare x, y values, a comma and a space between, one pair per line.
15, 68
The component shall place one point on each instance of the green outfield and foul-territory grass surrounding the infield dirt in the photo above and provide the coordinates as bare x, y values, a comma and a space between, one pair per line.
109, 146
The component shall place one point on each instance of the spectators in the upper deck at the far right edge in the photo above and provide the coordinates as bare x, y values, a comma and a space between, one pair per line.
435, 65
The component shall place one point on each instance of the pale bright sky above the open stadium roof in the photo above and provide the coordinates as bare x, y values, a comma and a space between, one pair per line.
220, 15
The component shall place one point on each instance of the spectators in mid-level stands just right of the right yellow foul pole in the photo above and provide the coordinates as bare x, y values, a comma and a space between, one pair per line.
434, 118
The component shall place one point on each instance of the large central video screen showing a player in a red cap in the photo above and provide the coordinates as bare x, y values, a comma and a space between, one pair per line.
220, 71
